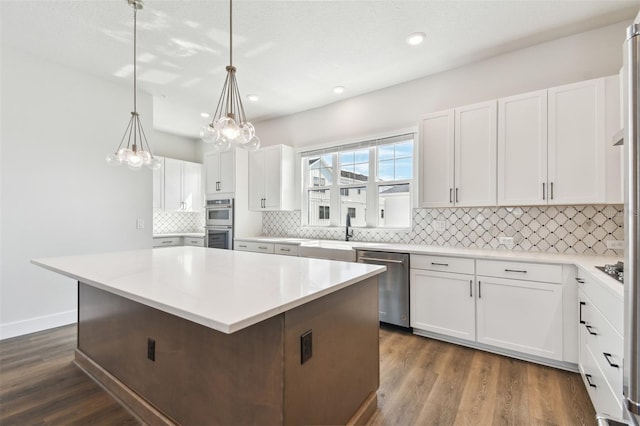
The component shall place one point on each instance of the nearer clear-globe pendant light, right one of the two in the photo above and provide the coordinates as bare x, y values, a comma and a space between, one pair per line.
229, 126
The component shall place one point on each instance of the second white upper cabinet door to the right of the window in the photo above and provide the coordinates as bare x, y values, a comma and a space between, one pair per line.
475, 155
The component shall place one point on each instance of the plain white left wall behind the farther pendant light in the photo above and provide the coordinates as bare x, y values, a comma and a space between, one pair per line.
58, 196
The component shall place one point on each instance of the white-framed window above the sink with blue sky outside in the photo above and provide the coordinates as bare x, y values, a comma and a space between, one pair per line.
369, 181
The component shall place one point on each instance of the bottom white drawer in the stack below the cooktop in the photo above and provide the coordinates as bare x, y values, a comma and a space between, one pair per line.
604, 399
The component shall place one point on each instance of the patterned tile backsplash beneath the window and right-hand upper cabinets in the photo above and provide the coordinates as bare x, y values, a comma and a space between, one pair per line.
560, 229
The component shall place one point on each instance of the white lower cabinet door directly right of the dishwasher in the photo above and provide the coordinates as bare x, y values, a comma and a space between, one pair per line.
443, 303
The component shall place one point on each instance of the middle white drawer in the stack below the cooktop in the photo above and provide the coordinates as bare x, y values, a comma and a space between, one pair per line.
604, 342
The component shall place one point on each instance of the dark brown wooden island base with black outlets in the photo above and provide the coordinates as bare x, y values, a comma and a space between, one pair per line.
169, 370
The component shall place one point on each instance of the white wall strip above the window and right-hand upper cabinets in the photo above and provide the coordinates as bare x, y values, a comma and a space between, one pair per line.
583, 56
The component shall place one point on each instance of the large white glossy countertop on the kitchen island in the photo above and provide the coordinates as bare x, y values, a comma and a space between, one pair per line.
221, 289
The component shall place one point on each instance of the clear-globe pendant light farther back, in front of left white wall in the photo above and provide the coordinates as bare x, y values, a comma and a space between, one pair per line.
134, 154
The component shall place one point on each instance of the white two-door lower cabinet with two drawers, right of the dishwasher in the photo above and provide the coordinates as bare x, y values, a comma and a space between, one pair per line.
499, 310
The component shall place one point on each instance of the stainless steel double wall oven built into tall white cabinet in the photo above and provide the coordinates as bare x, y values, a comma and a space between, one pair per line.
219, 223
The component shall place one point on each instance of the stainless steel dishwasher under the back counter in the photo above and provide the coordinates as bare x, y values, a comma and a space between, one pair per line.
393, 284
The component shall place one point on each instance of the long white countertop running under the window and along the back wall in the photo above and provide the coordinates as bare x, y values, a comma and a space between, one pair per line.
586, 263
